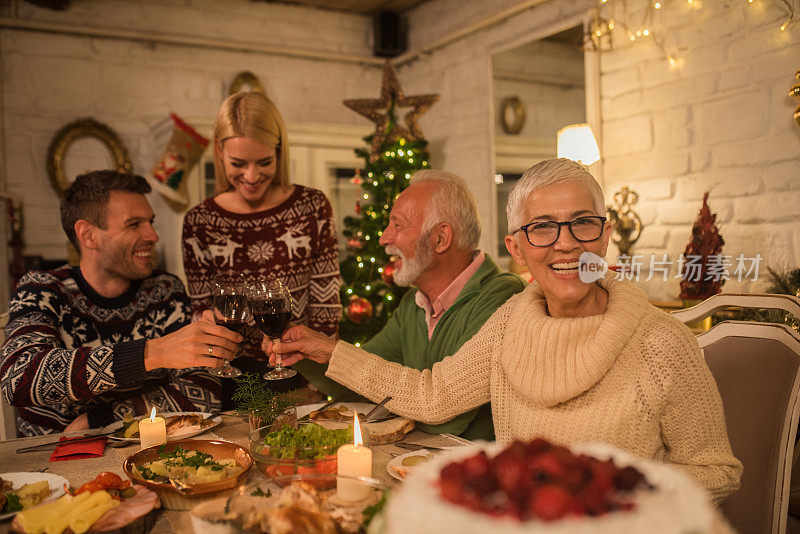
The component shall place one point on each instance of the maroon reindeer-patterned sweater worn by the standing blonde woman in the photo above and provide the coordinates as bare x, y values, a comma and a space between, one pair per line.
294, 241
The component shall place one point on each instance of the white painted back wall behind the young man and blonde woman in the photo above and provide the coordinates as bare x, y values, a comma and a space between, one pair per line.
50, 80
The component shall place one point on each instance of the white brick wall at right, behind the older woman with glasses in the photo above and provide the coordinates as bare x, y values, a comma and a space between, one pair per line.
721, 121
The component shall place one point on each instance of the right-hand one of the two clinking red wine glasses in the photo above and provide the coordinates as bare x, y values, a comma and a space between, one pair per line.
271, 306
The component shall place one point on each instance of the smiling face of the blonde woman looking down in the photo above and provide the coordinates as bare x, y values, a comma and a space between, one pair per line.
250, 167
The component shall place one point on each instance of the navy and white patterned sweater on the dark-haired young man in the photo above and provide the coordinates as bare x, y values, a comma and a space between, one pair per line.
71, 351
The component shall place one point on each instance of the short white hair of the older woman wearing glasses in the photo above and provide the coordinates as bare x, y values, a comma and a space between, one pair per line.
546, 173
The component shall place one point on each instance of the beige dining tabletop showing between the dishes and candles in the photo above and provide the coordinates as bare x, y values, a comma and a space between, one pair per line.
232, 428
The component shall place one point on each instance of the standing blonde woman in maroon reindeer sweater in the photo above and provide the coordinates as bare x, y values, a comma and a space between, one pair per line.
261, 225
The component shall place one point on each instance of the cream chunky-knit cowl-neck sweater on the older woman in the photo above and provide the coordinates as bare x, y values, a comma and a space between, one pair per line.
633, 377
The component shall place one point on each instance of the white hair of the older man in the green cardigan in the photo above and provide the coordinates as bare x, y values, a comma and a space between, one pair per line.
452, 202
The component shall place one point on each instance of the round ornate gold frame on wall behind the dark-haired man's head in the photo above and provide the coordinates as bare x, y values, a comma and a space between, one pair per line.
87, 127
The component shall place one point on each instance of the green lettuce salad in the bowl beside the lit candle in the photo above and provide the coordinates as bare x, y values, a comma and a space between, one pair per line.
307, 442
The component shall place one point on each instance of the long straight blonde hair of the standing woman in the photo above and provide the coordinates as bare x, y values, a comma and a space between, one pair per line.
250, 115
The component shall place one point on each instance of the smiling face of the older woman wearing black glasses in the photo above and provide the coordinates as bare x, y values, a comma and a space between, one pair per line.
555, 267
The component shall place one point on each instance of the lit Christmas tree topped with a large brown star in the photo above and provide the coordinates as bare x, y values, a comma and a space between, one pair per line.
396, 151
